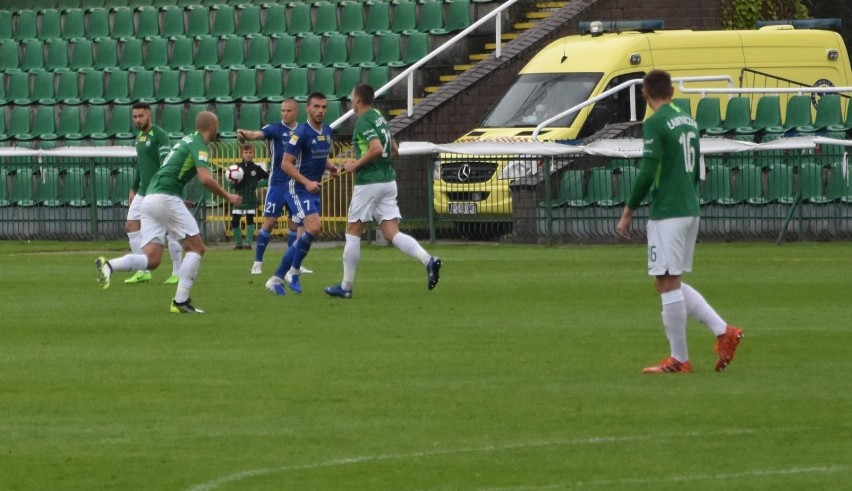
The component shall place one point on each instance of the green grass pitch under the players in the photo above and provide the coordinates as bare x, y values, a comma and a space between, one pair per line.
520, 371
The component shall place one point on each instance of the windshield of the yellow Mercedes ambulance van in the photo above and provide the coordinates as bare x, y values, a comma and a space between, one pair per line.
534, 98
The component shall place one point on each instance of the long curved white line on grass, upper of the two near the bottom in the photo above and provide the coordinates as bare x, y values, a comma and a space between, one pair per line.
240, 476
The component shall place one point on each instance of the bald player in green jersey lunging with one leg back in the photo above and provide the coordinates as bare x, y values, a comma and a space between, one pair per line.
164, 213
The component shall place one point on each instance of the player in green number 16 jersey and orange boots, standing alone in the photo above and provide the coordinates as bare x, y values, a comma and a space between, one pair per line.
670, 170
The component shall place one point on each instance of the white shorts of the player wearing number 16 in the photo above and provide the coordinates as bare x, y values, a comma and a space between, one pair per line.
671, 245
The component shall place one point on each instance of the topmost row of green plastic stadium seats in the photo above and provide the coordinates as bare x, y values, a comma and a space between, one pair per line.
225, 20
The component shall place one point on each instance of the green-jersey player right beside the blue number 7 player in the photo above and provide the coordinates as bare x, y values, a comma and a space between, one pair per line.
375, 193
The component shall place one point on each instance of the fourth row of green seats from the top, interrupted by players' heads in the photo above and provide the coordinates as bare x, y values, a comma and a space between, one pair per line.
99, 122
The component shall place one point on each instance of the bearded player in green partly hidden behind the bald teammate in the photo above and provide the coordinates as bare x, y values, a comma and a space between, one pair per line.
152, 145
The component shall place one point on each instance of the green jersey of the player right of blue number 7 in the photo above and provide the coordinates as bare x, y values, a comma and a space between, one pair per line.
372, 125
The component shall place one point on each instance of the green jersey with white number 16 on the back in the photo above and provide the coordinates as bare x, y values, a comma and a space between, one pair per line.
670, 165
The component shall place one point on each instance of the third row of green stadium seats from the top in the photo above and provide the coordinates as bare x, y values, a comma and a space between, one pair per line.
175, 86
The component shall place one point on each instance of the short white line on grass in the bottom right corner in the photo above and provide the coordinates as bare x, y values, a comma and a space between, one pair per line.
672, 479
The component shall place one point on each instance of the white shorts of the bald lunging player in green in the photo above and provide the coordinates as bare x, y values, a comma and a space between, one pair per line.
163, 215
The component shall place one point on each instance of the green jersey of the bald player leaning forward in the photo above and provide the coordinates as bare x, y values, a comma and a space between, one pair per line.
179, 166
